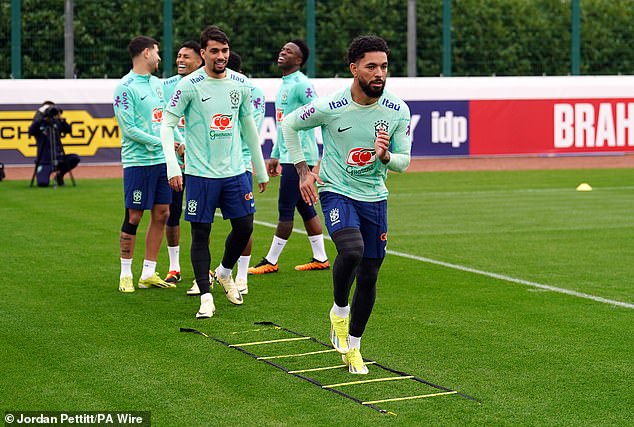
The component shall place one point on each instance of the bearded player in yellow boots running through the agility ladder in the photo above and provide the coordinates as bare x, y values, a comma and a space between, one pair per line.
366, 133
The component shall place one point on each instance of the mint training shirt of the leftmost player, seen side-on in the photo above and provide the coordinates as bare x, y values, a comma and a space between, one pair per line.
138, 106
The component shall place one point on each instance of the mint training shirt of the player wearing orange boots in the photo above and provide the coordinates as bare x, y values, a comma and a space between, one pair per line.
296, 90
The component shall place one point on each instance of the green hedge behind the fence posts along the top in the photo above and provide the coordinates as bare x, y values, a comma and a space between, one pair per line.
493, 37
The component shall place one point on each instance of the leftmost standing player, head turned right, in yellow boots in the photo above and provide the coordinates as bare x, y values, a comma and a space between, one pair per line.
138, 107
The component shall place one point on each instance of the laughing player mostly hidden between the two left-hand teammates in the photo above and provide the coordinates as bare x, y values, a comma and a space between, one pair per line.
188, 60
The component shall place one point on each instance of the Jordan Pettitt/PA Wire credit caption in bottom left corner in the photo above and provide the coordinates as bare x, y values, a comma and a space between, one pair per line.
77, 418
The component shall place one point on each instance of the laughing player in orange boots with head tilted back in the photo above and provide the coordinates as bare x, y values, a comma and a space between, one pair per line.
296, 90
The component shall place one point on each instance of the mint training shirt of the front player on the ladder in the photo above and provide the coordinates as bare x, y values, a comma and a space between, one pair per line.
349, 165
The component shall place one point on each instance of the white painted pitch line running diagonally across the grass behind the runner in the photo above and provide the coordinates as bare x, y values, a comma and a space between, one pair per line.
486, 273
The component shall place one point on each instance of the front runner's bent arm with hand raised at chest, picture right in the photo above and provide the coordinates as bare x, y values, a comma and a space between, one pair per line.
395, 152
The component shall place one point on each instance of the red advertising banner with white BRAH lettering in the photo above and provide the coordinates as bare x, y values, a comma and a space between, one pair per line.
565, 126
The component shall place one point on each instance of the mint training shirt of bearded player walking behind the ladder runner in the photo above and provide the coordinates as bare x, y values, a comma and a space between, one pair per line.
212, 109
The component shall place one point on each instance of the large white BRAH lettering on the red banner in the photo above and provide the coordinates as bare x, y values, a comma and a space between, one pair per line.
587, 125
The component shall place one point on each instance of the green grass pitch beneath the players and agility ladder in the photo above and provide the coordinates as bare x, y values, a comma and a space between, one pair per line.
533, 356
